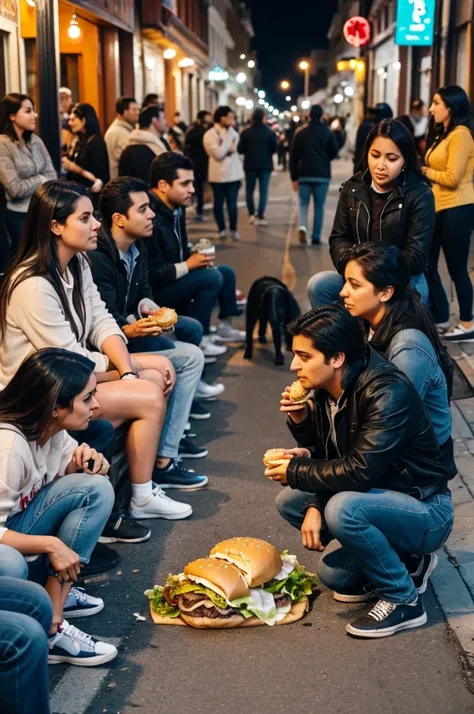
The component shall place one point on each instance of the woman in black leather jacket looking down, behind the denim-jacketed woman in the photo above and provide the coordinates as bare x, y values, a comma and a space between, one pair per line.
387, 200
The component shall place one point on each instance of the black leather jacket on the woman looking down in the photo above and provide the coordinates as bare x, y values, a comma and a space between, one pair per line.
407, 220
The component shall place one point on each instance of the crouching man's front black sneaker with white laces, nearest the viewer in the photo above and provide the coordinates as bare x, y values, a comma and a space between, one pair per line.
386, 619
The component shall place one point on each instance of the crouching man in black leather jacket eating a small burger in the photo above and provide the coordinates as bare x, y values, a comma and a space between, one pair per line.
367, 471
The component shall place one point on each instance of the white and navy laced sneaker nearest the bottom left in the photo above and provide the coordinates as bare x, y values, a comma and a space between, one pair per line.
72, 645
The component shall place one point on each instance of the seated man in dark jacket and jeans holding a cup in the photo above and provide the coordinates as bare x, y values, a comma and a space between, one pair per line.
181, 279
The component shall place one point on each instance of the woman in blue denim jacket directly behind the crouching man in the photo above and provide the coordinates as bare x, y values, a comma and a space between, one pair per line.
377, 289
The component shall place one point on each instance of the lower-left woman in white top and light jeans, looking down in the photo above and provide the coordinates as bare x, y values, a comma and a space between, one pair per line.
54, 499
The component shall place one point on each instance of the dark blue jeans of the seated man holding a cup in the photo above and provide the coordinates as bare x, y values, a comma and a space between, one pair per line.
197, 292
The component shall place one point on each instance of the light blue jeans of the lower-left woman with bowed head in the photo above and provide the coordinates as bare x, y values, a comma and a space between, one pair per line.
74, 508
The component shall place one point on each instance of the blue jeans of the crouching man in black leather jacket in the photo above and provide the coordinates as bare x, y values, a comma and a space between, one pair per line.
374, 530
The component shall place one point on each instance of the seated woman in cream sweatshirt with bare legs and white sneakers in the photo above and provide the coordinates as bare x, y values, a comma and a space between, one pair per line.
48, 299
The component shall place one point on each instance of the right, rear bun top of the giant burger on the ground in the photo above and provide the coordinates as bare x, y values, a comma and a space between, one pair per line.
258, 560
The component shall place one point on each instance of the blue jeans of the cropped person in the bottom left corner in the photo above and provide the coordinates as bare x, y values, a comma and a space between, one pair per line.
25, 618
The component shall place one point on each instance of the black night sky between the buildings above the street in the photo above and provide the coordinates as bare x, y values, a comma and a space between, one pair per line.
285, 32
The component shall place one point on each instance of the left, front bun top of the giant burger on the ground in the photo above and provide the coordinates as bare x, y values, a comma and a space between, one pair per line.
220, 576
